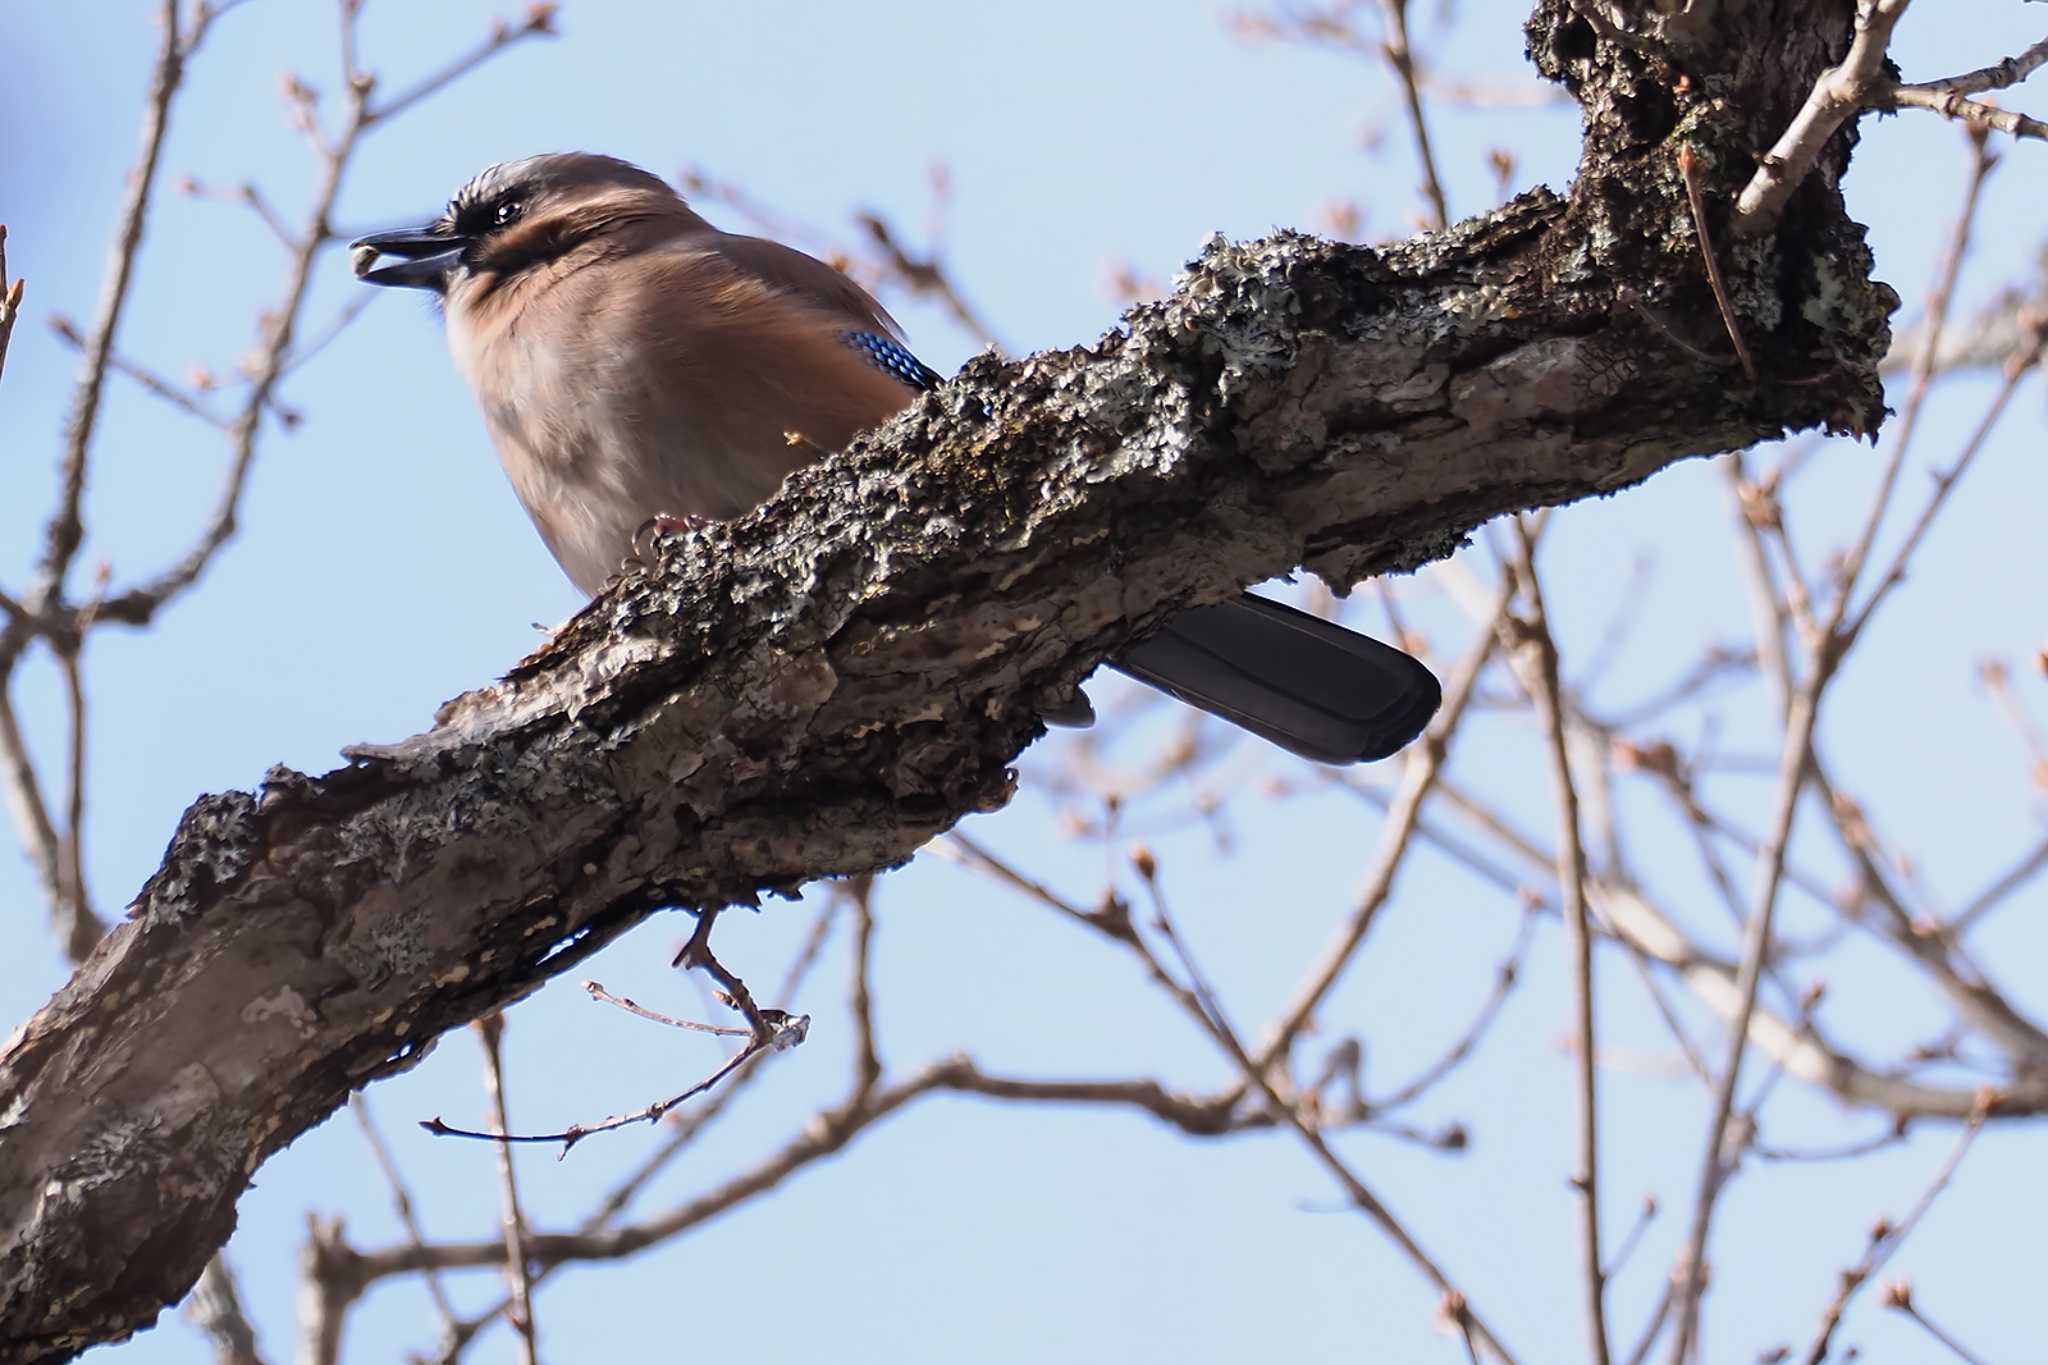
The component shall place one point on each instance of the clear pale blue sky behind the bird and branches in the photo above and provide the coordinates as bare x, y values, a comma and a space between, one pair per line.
384, 568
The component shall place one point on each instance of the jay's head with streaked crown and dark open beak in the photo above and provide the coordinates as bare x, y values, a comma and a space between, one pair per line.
515, 218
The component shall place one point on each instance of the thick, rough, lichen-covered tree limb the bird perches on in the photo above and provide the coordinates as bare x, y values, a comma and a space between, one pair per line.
820, 689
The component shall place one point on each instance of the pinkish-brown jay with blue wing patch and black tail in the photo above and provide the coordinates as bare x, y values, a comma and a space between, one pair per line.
638, 365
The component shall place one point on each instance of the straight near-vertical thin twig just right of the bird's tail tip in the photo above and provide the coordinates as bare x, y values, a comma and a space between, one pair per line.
1578, 938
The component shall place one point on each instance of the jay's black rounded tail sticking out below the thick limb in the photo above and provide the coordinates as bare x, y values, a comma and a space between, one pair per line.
1297, 680
